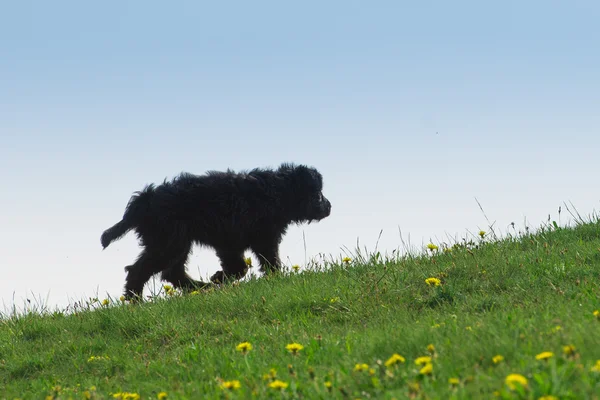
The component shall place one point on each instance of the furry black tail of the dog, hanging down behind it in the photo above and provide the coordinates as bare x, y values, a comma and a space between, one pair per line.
135, 211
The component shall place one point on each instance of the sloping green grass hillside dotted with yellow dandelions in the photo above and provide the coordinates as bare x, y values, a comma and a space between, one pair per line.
516, 297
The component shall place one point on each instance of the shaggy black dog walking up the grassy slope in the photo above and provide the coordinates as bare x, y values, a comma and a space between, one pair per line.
227, 211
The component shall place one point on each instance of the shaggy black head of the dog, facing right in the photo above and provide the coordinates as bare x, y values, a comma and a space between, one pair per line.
309, 203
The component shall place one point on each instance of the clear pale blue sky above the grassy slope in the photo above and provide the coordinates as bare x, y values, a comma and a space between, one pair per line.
409, 109
